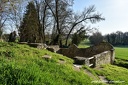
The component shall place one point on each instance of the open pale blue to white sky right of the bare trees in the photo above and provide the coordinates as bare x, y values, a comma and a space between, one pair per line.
115, 13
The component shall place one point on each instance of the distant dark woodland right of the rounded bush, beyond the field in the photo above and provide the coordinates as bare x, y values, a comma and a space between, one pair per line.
117, 38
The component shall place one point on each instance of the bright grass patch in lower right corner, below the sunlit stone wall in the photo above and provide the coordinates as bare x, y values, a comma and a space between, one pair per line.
114, 74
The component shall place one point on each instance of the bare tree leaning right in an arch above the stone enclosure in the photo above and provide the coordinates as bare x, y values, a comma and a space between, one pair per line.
87, 15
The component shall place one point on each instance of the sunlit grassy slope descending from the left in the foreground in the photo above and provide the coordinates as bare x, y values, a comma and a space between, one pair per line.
23, 65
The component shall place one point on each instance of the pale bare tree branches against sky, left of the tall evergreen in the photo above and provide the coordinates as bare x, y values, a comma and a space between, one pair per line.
9, 12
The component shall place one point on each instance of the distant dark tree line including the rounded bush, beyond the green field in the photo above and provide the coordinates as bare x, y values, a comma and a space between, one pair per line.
115, 38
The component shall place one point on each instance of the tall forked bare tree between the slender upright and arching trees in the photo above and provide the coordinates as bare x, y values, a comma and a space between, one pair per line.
59, 12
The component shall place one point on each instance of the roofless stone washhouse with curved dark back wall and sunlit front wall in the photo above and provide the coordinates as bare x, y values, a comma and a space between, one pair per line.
92, 56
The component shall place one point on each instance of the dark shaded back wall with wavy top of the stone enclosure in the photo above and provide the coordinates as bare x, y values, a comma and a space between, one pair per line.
74, 51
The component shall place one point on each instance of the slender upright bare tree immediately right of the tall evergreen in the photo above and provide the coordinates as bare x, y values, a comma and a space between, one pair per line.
42, 10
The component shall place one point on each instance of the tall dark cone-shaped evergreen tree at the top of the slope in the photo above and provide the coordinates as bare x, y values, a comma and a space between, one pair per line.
29, 29
